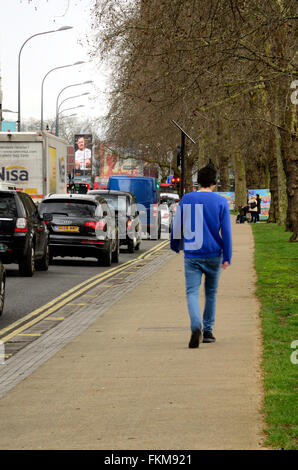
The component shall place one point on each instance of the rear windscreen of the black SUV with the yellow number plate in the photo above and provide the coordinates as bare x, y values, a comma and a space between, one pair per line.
73, 208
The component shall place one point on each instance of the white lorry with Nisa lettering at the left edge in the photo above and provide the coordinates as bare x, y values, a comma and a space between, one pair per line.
33, 162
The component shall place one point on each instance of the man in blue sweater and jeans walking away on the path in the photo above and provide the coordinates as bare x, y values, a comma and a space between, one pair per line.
203, 220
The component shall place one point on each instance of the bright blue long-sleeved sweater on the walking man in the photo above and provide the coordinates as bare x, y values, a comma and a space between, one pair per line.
204, 220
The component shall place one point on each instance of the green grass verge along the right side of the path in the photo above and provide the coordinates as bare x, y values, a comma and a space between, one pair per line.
276, 264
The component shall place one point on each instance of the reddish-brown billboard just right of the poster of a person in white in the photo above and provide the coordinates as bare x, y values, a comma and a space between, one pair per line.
110, 164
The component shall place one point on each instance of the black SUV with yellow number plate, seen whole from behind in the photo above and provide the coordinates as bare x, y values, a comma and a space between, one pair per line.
81, 226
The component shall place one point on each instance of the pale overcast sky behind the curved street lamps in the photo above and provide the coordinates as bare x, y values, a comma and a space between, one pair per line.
20, 19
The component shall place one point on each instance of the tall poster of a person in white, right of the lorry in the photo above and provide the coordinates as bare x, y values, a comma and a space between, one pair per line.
83, 155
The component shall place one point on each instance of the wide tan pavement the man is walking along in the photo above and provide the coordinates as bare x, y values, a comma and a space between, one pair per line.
129, 380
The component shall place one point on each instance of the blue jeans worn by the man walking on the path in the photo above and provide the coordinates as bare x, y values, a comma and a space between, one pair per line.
194, 268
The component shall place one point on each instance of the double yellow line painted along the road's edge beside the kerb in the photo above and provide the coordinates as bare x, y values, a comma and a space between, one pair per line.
63, 299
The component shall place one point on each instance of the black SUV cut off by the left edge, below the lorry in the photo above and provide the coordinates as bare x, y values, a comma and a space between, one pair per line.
23, 234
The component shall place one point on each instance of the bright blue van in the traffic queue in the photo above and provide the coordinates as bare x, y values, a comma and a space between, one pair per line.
147, 196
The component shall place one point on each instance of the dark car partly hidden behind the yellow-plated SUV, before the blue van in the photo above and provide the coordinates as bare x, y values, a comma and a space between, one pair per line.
124, 205
